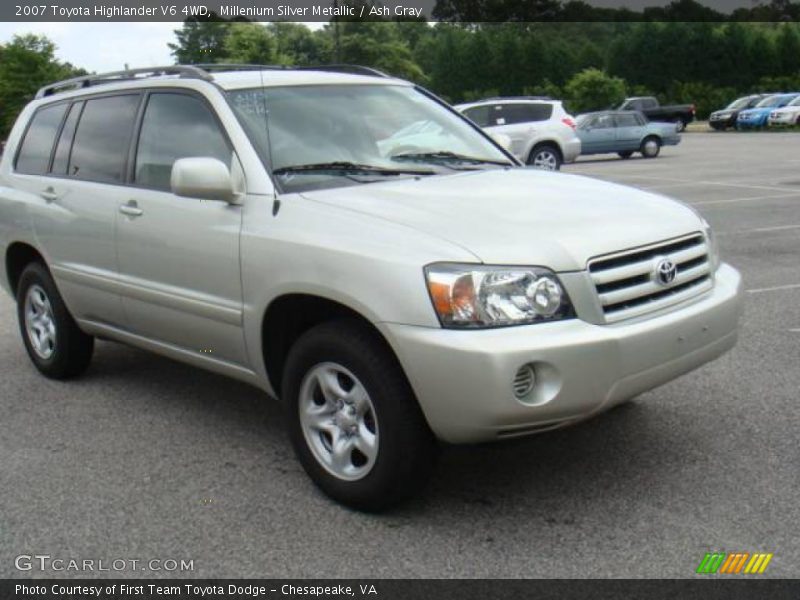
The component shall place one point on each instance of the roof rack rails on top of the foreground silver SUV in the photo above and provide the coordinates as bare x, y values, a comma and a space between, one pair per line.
196, 71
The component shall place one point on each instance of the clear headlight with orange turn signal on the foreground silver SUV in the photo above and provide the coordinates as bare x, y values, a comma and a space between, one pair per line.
475, 296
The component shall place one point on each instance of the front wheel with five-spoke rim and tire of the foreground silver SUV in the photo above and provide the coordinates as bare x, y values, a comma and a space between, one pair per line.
353, 419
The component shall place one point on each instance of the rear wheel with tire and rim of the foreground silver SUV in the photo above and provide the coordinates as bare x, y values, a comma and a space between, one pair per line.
55, 344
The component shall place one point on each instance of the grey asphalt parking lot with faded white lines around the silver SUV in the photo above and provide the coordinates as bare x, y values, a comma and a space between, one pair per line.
144, 458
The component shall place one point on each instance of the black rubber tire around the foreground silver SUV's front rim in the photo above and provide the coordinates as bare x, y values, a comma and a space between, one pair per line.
406, 448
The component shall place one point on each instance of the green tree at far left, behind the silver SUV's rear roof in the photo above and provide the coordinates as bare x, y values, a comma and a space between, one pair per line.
27, 63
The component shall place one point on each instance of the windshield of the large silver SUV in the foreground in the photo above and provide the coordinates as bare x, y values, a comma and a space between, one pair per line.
321, 136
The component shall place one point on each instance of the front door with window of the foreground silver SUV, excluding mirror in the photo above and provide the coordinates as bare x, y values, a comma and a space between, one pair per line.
179, 257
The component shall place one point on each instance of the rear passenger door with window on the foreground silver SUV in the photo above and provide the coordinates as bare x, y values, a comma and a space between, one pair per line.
75, 224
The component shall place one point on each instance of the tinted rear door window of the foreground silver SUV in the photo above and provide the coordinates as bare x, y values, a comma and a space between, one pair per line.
101, 142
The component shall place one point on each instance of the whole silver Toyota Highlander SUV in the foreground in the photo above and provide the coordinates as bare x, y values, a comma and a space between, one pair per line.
355, 247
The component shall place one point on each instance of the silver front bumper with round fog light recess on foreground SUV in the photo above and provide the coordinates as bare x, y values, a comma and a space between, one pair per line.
463, 379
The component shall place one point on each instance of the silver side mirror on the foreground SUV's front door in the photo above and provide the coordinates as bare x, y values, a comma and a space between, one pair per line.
203, 178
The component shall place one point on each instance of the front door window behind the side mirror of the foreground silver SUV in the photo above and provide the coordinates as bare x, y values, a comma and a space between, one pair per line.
176, 126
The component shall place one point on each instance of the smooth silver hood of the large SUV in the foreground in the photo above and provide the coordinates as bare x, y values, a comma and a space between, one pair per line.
522, 216
